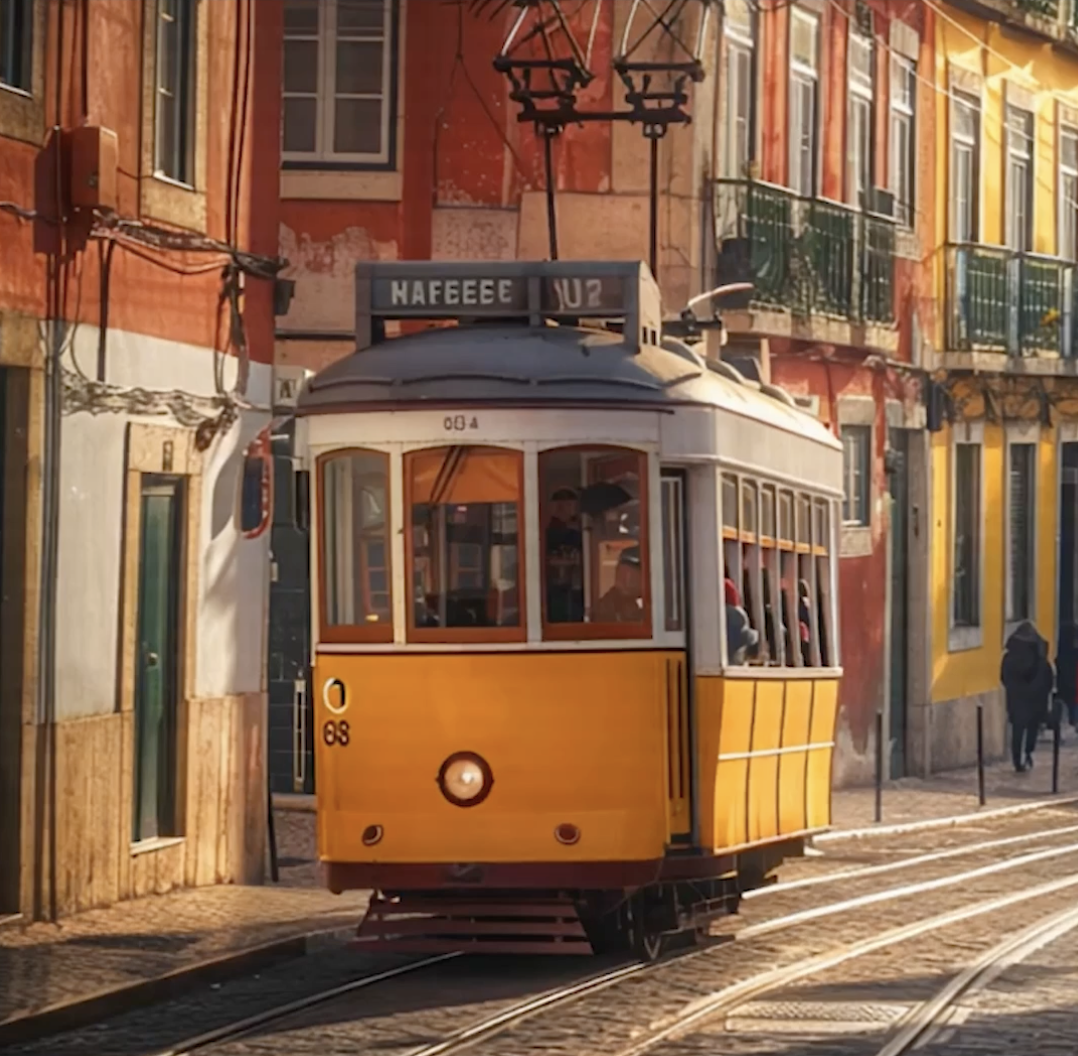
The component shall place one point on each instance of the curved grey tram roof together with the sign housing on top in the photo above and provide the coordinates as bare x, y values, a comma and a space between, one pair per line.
534, 362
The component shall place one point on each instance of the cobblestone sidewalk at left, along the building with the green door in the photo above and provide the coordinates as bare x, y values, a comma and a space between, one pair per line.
46, 965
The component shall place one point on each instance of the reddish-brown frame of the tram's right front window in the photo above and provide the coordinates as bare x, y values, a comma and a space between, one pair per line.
587, 631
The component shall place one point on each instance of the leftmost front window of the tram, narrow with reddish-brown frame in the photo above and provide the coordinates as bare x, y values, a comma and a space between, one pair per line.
356, 603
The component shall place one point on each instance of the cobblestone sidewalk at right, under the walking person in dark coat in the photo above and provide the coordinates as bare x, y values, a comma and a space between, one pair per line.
955, 793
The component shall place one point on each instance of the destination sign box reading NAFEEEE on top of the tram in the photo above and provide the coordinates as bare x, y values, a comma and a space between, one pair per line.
526, 290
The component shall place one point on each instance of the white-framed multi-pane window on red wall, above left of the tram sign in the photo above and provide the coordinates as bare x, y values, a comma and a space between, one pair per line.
339, 78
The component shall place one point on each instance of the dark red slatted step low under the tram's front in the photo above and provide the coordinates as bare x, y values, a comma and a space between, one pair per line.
425, 925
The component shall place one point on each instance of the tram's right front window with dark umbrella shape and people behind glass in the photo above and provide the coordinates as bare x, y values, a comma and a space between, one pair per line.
596, 544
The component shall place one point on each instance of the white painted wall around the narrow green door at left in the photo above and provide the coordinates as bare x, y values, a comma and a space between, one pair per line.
232, 594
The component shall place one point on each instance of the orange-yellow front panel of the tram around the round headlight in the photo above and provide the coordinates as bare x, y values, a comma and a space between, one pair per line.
573, 739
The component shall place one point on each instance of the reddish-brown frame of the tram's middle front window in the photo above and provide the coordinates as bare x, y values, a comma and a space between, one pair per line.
458, 635
